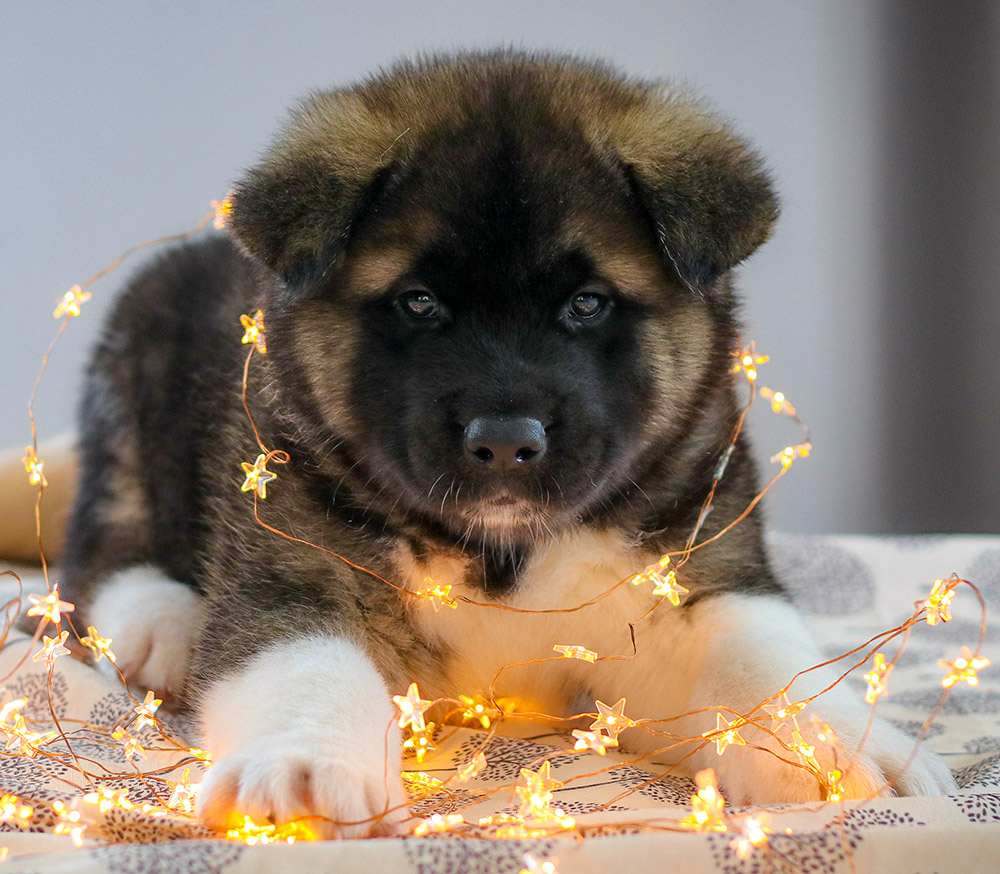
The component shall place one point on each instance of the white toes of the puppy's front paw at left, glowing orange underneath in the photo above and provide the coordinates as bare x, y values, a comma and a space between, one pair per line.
290, 776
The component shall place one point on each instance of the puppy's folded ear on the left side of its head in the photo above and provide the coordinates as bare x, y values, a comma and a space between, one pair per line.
296, 209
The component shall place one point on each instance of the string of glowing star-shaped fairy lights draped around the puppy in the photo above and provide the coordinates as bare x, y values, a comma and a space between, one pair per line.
81, 814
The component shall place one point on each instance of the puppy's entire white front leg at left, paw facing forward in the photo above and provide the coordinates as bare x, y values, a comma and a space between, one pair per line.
303, 727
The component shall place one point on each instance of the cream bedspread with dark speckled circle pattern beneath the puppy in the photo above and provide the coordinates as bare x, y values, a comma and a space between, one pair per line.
849, 587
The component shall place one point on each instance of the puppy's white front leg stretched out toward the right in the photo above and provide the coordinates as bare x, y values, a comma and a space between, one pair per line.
744, 650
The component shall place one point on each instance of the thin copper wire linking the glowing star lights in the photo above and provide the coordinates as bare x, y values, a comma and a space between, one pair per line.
498, 715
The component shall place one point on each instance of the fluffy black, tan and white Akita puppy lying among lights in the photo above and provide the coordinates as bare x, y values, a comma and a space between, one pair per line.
500, 329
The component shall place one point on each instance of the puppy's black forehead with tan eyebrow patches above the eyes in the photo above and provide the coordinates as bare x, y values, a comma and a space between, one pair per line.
505, 206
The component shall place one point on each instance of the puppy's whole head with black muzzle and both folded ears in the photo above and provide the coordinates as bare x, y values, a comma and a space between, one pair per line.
519, 298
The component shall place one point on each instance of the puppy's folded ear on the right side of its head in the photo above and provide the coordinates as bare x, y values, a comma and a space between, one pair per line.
710, 198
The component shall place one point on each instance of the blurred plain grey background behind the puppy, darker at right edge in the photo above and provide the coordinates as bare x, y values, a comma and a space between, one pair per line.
877, 299
